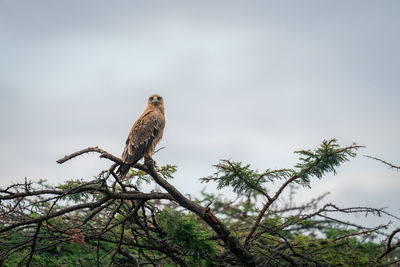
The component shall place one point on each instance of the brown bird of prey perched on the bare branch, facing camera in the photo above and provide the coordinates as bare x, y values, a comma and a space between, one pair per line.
146, 132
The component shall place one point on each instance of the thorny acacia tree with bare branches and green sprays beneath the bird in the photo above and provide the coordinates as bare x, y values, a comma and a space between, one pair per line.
111, 222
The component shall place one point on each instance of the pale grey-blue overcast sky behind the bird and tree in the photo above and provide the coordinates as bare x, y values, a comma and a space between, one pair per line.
250, 81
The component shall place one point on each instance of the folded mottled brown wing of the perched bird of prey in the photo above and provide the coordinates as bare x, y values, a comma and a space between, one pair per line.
141, 136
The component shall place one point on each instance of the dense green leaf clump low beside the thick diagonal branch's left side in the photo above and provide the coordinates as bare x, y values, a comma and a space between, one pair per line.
185, 232
